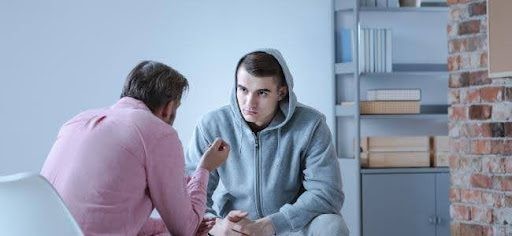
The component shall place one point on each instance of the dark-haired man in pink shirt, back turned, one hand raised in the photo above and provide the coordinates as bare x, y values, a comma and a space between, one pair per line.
113, 166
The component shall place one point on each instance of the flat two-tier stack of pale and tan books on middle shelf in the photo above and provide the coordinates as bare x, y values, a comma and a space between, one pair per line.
392, 101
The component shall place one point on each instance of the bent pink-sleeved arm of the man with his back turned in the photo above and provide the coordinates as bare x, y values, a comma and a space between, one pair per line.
168, 188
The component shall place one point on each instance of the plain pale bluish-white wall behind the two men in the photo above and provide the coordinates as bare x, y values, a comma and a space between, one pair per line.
60, 57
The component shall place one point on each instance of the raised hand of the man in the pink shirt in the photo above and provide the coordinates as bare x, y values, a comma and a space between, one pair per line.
215, 155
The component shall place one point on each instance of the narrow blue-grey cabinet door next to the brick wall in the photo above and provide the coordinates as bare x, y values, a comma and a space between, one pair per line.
443, 204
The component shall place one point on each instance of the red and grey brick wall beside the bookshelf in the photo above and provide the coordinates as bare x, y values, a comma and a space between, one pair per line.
481, 150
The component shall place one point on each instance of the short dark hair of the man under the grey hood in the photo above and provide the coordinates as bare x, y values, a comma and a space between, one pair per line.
262, 64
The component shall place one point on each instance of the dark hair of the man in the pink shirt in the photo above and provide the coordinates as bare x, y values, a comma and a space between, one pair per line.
155, 84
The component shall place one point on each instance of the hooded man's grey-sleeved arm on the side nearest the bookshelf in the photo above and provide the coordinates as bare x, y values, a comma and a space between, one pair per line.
322, 182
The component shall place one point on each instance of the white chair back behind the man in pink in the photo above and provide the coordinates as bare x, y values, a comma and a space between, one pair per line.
29, 205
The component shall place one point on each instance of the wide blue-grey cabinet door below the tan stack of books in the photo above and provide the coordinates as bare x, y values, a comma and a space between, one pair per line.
398, 204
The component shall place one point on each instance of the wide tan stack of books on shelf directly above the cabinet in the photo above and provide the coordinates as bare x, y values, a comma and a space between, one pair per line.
389, 151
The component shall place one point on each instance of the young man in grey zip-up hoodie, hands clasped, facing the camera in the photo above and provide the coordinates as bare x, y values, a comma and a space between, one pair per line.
282, 176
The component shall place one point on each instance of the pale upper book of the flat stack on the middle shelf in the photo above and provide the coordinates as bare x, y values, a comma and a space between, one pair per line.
393, 94
